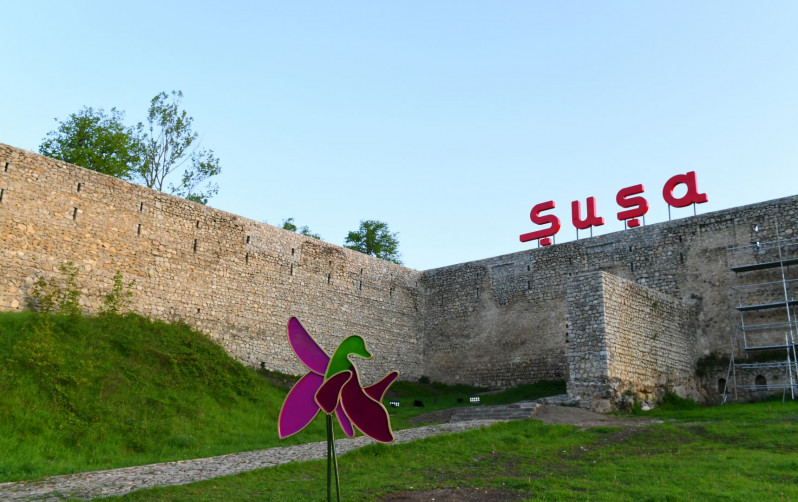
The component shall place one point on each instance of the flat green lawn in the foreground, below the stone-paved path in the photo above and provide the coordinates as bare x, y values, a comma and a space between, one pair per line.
732, 452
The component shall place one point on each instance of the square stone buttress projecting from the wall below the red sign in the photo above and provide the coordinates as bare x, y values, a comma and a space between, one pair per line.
627, 341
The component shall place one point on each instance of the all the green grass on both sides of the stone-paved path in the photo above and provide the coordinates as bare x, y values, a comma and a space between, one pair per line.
84, 394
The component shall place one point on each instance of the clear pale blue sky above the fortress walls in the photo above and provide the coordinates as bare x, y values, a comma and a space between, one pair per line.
447, 120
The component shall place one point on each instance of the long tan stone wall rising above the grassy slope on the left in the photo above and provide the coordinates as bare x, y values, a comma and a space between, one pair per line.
237, 279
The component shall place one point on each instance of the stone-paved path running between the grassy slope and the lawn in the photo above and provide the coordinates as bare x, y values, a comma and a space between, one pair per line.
88, 485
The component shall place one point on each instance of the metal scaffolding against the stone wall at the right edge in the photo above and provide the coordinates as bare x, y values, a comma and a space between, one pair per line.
765, 337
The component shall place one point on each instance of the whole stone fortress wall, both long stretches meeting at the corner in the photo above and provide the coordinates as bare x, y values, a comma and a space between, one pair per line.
495, 322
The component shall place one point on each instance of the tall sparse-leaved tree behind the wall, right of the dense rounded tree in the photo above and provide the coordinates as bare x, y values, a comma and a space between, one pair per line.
170, 146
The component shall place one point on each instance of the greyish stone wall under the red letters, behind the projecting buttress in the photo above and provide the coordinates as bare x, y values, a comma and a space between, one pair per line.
502, 320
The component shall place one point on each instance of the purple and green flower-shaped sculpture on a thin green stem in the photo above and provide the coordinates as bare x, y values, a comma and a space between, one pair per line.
333, 386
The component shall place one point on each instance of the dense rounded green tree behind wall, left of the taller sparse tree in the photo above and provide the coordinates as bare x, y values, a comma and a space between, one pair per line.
95, 140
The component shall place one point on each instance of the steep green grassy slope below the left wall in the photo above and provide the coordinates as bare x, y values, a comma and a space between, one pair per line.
92, 393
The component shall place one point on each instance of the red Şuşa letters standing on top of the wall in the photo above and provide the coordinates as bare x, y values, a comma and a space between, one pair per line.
628, 198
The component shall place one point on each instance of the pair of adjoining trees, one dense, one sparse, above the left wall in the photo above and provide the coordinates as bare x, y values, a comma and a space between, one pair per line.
164, 155
